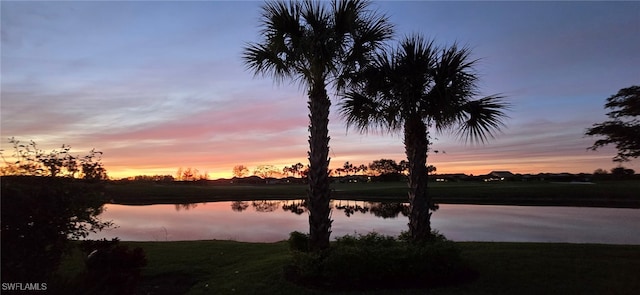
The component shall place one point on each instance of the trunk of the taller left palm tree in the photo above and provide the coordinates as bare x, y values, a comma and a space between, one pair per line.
319, 193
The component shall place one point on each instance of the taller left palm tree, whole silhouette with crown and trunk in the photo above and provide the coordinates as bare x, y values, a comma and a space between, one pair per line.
315, 45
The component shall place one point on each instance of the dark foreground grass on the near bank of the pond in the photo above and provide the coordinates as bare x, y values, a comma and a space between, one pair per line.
228, 267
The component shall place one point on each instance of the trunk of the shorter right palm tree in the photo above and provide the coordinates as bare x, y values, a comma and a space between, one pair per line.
416, 145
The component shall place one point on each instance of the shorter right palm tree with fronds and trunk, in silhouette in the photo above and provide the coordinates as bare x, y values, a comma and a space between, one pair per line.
413, 88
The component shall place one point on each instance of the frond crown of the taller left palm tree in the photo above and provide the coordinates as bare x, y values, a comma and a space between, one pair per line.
310, 41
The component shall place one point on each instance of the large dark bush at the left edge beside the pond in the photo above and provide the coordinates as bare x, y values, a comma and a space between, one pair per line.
40, 215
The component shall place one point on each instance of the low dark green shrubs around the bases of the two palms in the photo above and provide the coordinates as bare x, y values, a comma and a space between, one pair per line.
377, 261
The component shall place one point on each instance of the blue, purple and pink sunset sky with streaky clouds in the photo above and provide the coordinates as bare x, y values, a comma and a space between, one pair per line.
161, 85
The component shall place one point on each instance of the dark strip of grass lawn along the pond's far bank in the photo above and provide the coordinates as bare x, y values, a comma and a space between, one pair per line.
602, 194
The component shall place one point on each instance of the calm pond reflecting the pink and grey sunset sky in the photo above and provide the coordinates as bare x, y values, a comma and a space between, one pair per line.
270, 221
